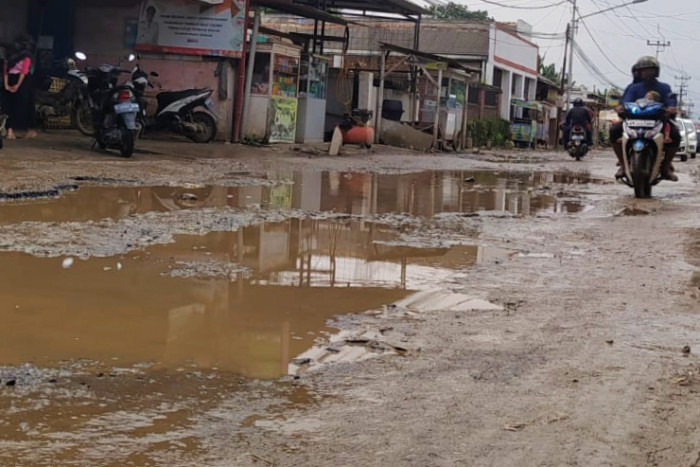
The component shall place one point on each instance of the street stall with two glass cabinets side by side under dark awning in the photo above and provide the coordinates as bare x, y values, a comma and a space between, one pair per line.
286, 82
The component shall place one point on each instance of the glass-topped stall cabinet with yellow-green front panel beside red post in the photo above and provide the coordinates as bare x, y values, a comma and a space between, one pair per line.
272, 112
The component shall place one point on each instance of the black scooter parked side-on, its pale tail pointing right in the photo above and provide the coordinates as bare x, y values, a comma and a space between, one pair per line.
176, 110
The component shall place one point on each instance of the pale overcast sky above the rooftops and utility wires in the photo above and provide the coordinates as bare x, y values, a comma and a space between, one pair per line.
615, 39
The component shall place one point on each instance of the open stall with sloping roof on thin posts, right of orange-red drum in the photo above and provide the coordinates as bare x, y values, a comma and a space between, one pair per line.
440, 100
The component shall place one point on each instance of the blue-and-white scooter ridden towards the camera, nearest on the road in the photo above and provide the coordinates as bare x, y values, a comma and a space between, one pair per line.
642, 145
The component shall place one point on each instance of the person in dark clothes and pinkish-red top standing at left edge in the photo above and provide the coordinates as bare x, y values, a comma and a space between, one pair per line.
18, 93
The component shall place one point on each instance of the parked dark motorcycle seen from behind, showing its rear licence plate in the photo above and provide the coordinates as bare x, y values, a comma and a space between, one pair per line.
114, 109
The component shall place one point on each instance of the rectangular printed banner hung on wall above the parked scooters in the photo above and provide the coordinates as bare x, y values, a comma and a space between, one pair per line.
191, 27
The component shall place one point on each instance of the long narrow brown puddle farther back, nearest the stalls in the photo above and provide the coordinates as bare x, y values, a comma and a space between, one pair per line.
420, 194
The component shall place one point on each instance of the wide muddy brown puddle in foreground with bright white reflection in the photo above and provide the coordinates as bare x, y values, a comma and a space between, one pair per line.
130, 310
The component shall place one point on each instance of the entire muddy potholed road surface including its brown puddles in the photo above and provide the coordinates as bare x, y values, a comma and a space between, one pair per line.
220, 305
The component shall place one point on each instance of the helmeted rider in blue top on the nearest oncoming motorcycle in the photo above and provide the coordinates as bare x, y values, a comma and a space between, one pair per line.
648, 69
